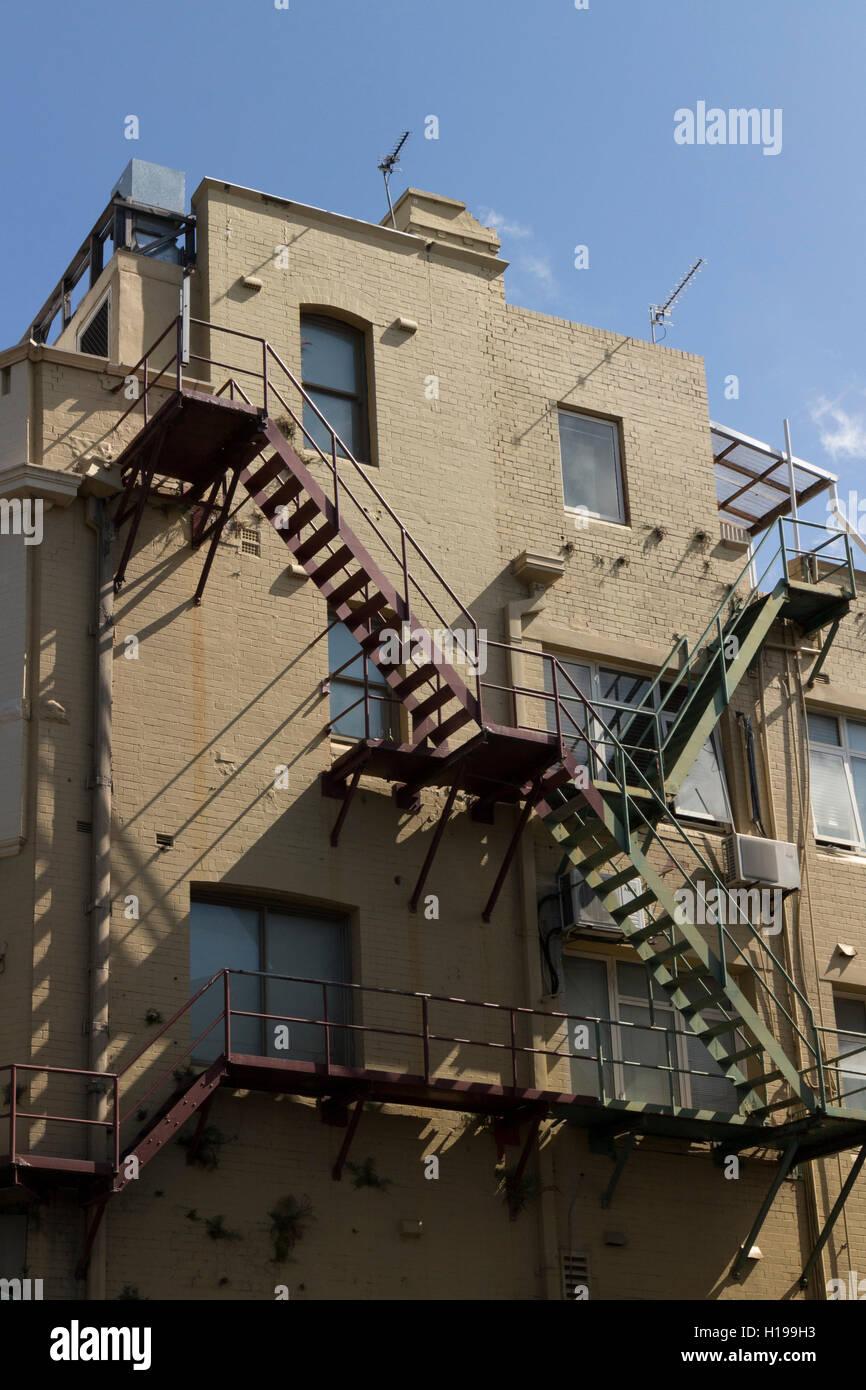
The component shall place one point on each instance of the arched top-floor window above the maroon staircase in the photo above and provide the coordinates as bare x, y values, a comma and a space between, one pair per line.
334, 373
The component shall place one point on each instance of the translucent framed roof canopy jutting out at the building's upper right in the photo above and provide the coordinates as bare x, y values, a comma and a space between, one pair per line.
753, 483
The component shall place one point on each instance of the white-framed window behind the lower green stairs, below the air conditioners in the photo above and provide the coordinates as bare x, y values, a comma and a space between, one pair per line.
647, 1052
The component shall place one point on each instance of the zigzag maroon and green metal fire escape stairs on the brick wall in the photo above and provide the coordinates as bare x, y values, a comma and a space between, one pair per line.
611, 812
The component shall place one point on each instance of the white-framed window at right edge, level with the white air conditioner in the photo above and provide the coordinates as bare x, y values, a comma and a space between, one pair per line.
838, 768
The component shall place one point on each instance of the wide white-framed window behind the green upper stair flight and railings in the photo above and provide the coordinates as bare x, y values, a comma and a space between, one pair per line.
616, 694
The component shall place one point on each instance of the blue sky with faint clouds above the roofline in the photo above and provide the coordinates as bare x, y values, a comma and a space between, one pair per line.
557, 122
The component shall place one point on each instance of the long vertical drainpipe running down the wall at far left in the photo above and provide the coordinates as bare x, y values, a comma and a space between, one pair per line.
101, 871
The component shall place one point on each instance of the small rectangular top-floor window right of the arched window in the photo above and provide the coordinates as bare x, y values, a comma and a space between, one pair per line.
591, 466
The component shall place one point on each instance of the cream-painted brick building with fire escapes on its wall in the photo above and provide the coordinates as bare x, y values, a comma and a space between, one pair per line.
162, 815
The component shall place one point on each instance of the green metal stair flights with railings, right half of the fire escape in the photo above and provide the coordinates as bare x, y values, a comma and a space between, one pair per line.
614, 819
